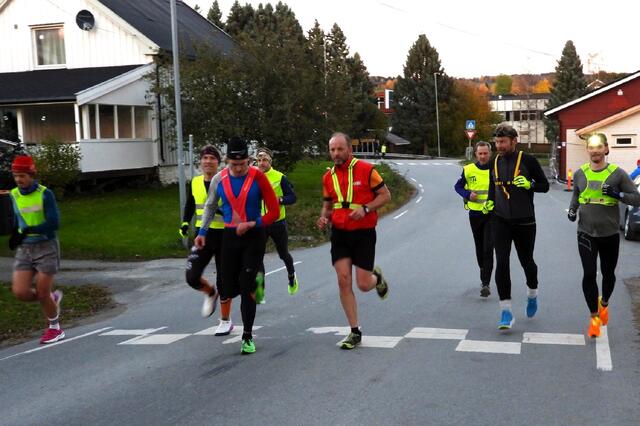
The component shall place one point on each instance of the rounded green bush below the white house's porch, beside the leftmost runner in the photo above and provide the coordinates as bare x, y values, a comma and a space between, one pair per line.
58, 164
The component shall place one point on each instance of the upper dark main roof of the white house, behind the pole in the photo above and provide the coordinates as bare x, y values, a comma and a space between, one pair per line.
153, 19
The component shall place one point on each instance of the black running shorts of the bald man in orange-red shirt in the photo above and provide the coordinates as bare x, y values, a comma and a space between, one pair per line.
359, 245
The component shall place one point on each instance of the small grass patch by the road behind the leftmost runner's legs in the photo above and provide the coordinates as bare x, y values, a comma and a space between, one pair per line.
20, 320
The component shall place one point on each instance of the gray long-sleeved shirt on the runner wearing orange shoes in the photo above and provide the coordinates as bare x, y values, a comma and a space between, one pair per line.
597, 220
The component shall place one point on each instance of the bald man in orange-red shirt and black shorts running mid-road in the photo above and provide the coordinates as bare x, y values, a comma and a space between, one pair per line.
352, 192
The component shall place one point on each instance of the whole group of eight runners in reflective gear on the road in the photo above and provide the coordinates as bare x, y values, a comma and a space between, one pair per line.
237, 208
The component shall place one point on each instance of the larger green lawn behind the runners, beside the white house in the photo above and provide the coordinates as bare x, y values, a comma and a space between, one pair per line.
138, 224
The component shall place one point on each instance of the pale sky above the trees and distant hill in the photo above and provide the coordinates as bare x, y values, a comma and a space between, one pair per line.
476, 38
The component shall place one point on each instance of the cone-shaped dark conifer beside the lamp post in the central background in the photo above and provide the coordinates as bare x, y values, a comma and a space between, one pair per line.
415, 117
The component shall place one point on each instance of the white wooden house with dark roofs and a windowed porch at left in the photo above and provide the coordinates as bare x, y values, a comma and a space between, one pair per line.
79, 70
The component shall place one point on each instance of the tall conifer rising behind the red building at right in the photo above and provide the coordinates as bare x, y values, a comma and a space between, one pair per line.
569, 84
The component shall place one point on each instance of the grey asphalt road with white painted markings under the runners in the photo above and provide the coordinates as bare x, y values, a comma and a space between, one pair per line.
434, 355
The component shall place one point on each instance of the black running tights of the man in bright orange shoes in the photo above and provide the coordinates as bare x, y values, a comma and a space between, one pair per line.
589, 249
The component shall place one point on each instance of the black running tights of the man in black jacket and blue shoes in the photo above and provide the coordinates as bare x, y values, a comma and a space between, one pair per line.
523, 237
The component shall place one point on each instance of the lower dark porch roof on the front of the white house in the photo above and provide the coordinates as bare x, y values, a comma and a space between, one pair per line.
56, 85
